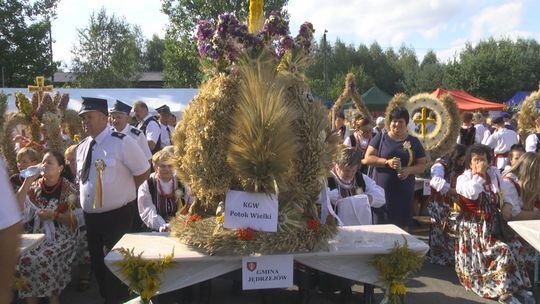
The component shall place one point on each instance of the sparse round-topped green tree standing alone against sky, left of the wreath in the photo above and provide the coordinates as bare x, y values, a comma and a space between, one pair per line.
108, 52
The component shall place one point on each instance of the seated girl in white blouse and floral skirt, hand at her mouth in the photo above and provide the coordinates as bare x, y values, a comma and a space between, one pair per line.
485, 264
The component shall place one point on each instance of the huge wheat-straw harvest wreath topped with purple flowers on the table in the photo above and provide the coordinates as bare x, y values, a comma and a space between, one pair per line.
254, 127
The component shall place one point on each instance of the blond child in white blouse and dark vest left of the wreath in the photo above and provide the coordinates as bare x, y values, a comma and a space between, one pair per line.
162, 195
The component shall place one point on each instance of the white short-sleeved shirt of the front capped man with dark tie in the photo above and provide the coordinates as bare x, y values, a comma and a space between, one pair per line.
123, 159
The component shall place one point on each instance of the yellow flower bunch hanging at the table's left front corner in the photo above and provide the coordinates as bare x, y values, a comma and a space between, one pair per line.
143, 275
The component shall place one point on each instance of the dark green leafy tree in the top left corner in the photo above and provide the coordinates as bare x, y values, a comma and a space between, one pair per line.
25, 41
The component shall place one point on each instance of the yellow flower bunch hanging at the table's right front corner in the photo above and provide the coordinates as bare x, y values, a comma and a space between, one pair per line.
394, 268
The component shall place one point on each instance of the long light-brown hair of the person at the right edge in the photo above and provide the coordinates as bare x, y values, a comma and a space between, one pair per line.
527, 168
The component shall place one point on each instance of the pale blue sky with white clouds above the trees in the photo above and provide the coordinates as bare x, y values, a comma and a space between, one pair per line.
442, 25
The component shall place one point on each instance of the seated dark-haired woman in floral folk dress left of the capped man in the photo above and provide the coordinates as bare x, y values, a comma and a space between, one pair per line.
50, 203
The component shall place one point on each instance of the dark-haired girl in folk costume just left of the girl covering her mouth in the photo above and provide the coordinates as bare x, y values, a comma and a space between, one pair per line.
444, 173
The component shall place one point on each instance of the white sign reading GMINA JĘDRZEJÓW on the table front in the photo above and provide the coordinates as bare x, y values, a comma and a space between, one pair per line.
271, 271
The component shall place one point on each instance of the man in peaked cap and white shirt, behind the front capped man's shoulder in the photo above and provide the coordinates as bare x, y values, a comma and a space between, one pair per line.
119, 117
